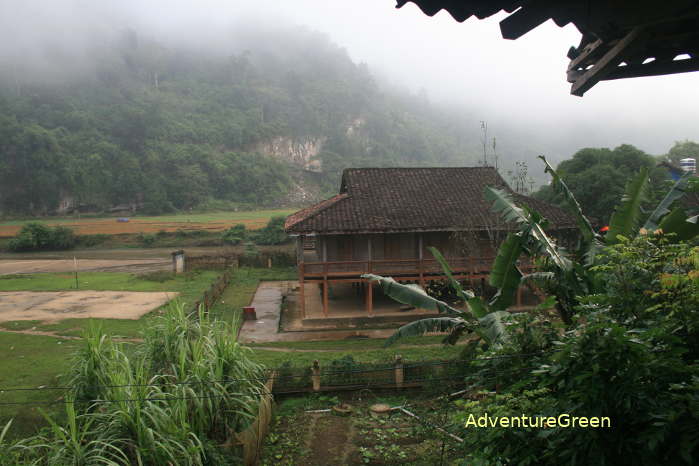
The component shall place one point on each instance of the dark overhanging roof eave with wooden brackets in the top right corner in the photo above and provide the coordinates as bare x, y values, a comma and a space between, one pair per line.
620, 38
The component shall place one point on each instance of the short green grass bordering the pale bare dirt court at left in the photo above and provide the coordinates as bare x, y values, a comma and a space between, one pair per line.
191, 286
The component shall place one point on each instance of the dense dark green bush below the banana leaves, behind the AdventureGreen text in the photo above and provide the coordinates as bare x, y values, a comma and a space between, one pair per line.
631, 357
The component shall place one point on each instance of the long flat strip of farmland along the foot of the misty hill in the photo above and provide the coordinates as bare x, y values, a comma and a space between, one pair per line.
212, 222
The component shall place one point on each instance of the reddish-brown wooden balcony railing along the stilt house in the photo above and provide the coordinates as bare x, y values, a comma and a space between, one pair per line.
391, 267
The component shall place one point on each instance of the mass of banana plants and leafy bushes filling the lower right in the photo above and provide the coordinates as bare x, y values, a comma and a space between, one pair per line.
629, 348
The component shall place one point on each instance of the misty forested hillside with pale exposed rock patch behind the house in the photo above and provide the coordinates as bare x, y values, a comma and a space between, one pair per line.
156, 128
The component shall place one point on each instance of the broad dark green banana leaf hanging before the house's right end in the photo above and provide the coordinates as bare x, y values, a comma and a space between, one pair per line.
505, 275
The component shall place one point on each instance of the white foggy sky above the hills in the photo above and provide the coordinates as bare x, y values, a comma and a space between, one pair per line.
518, 87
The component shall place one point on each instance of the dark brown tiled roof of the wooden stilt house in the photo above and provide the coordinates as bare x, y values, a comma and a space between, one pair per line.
414, 199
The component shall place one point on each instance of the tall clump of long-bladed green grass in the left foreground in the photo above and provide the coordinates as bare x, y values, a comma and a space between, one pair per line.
174, 399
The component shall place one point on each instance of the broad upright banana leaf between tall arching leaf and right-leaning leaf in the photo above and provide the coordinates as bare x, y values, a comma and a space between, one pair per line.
627, 214
